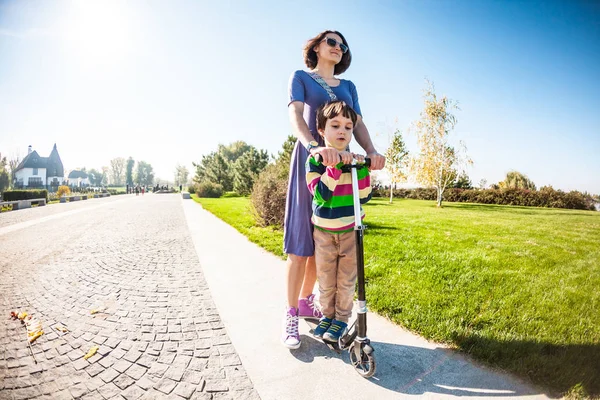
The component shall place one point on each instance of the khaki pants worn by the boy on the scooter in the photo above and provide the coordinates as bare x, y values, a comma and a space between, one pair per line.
335, 255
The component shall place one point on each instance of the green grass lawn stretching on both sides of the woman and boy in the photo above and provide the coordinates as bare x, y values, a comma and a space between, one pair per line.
516, 287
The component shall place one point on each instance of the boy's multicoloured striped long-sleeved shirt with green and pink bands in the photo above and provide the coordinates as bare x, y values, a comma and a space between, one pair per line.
332, 205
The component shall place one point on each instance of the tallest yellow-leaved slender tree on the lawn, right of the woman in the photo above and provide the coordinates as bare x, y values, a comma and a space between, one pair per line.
437, 164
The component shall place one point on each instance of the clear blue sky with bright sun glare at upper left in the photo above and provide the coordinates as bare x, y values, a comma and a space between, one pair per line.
167, 81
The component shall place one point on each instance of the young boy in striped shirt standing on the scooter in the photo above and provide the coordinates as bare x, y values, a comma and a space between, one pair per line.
333, 218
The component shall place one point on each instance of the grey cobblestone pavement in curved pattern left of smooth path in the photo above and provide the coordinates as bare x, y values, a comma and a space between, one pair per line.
132, 260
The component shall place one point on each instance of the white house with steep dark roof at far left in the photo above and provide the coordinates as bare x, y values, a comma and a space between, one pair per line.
39, 172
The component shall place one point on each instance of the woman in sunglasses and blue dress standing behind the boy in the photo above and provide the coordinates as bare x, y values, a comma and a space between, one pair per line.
326, 55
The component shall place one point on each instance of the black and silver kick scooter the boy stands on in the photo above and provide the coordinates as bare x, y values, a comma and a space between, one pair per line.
355, 339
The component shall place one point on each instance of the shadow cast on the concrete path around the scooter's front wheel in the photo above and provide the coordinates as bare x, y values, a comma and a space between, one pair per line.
412, 370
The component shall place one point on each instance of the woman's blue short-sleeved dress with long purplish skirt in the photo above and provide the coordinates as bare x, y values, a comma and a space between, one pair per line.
297, 233
